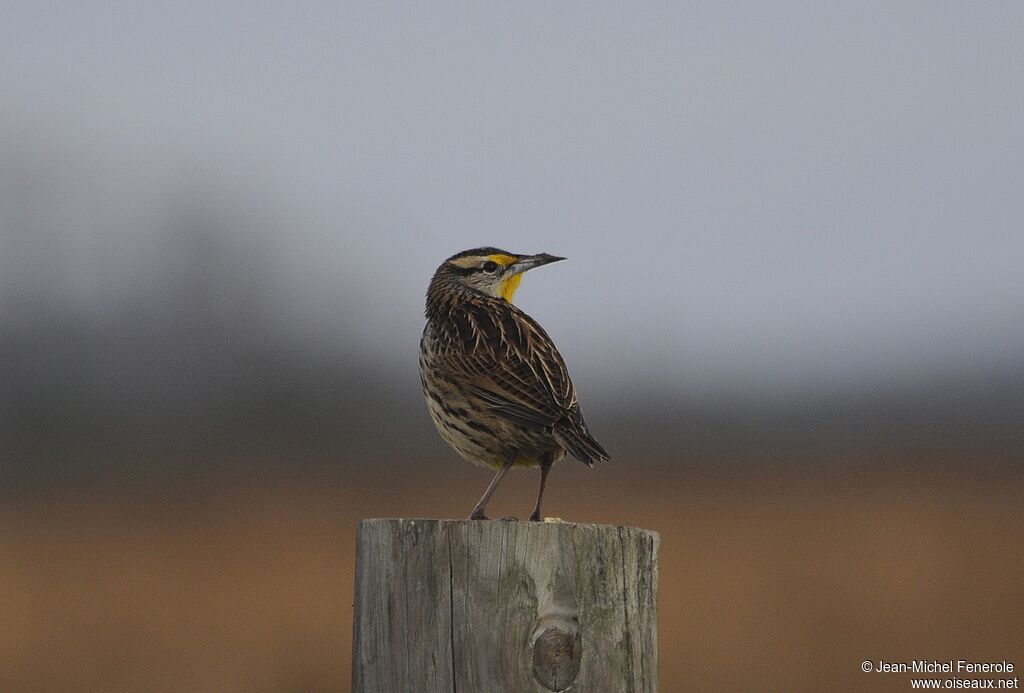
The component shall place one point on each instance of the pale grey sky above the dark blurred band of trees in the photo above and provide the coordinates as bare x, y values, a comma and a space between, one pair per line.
751, 196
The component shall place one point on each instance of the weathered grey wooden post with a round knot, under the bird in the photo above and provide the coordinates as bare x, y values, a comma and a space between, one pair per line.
493, 607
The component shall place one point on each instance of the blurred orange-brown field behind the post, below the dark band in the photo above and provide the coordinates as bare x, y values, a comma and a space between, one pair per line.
770, 581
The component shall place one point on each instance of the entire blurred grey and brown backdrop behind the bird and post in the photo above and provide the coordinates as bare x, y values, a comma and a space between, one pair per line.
794, 311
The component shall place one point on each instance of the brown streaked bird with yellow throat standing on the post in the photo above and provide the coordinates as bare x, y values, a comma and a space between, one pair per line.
496, 387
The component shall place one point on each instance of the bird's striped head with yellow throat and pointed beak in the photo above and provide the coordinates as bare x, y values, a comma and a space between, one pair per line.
492, 272
